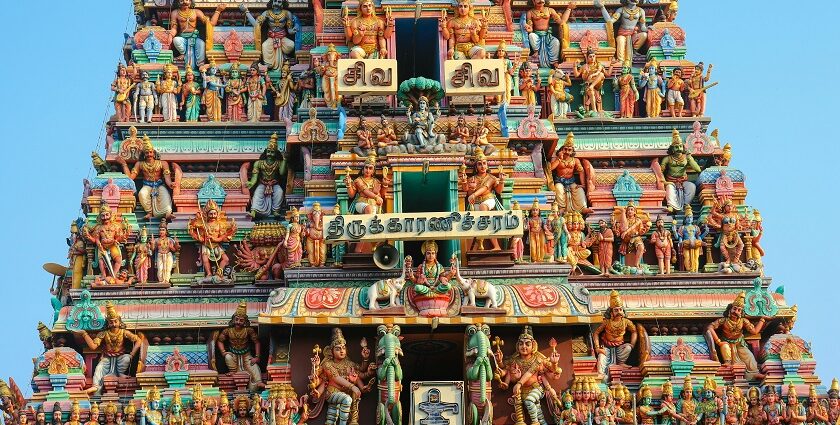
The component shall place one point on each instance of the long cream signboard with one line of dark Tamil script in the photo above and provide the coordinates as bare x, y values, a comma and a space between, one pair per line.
423, 226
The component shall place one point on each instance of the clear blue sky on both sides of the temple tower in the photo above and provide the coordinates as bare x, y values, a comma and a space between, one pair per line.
778, 73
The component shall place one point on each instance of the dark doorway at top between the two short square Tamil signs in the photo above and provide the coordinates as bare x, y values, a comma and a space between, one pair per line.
417, 51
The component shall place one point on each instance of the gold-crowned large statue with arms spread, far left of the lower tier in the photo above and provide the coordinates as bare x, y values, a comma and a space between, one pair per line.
111, 343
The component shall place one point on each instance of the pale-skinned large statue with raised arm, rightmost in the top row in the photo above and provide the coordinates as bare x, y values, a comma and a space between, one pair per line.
632, 27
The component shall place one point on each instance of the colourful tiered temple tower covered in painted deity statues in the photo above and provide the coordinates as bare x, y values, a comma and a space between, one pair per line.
397, 212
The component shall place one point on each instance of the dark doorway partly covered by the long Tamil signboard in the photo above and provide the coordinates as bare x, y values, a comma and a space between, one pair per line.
426, 193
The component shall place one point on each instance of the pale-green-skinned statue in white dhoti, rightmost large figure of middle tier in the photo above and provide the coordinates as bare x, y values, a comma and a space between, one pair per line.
679, 192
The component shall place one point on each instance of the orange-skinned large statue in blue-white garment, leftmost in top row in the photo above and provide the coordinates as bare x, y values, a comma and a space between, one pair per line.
184, 29
